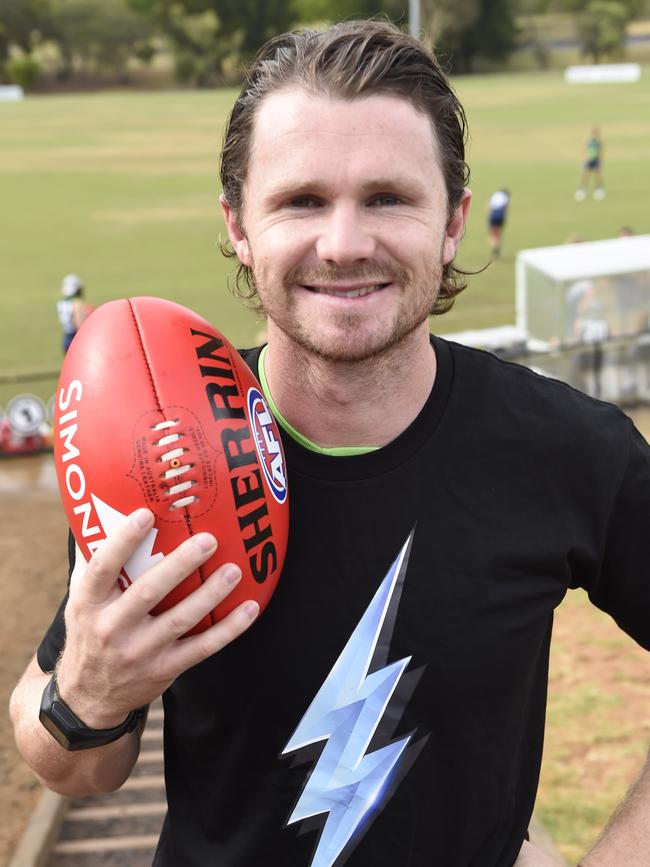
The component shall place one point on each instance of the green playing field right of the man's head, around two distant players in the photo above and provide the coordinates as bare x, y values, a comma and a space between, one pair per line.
528, 133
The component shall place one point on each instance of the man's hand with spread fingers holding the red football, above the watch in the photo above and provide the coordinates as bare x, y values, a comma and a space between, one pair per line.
117, 655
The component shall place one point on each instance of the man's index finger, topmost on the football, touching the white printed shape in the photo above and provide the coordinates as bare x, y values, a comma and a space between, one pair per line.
104, 567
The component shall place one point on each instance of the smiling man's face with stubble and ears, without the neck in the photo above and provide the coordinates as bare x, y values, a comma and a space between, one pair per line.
345, 221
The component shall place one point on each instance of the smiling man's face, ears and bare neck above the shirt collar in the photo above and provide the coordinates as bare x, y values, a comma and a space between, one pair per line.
345, 224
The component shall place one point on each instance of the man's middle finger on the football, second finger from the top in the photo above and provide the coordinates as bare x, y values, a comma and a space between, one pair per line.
154, 584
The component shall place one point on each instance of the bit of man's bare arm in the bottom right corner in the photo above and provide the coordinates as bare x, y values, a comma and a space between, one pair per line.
625, 842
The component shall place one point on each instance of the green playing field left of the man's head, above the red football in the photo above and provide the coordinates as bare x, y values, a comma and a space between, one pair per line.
121, 188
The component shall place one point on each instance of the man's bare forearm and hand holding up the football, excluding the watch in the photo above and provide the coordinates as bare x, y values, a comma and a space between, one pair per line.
117, 657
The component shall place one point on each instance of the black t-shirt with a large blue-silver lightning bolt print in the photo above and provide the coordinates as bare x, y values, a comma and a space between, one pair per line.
387, 709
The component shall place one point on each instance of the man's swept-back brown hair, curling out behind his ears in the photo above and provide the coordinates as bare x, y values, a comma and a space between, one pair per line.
349, 60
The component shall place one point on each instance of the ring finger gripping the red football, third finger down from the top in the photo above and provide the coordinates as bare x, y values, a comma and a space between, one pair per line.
178, 620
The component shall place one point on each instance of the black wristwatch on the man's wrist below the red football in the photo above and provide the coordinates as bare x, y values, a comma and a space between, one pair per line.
71, 732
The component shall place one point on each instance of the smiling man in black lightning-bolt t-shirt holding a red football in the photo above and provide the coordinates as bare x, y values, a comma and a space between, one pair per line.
388, 708
